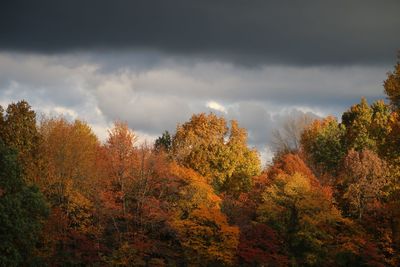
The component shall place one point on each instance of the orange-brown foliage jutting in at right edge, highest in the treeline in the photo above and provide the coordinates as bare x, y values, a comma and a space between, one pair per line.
392, 86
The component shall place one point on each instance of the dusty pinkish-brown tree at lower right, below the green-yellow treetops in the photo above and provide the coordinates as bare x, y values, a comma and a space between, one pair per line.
363, 188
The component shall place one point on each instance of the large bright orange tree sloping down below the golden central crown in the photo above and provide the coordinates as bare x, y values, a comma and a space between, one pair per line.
174, 218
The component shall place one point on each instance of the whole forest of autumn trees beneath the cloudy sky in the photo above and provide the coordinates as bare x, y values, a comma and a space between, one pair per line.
199, 196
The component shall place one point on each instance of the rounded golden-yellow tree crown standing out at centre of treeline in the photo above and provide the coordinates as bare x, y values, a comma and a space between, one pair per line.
208, 146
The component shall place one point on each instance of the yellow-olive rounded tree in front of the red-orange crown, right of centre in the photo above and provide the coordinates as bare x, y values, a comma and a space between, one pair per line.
303, 214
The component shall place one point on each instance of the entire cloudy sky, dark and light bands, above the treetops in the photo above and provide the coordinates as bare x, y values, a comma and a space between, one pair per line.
153, 63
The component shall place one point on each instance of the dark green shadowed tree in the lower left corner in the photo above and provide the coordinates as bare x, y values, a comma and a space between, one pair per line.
22, 212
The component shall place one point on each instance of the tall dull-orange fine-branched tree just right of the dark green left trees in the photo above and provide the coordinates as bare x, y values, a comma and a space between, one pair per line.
69, 172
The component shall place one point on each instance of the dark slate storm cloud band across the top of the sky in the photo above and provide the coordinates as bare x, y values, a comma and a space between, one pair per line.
249, 32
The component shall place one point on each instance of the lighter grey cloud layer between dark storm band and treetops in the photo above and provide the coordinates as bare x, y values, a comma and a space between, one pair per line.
155, 97
